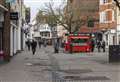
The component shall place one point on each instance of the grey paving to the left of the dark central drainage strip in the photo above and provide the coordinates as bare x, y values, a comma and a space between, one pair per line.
22, 68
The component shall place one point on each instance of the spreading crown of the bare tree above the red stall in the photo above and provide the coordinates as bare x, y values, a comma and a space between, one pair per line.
65, 15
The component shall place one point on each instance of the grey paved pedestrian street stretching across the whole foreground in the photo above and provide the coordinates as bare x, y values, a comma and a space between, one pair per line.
45, 66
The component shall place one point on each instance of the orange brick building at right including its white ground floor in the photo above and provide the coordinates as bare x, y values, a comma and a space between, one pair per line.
108, 21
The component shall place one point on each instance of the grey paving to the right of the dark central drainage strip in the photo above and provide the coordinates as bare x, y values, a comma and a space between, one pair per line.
88, 67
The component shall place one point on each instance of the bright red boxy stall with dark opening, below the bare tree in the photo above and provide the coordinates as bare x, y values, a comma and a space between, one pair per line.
78, 43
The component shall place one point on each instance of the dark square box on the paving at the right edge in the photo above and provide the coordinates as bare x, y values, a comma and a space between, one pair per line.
114, 53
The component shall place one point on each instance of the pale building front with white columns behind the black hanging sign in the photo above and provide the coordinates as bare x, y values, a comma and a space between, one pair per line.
16, 27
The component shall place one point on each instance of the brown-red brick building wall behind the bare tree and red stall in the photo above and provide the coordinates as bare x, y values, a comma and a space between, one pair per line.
87, 9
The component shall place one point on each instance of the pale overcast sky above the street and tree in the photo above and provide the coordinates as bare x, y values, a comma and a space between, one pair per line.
37, 4
